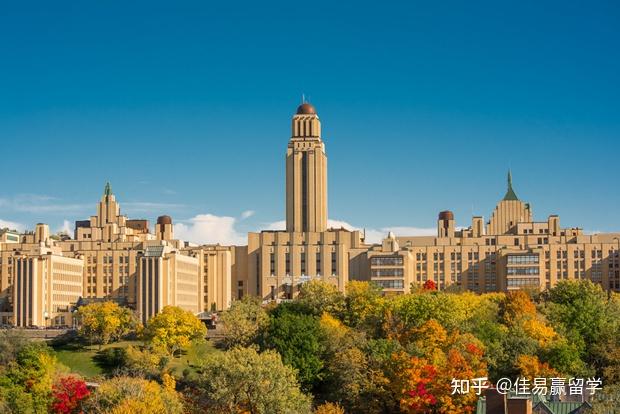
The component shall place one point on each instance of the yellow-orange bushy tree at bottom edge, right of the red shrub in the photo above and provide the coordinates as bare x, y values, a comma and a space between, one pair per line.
131, 395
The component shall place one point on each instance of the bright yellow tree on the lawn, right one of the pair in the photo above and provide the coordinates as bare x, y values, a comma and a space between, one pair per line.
174, 329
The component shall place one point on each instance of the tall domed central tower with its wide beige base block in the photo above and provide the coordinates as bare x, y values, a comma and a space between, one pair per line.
280, 261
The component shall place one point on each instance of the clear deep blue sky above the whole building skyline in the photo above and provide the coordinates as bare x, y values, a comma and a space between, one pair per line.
424, 106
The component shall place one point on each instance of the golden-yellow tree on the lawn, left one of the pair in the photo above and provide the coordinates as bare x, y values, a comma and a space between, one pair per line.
104, 322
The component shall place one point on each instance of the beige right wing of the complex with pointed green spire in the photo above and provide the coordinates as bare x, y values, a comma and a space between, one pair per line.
511, 252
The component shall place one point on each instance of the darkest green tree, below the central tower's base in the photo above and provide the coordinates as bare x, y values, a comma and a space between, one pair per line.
297, 338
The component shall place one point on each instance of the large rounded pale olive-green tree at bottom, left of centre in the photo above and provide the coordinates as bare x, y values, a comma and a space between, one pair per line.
243, 381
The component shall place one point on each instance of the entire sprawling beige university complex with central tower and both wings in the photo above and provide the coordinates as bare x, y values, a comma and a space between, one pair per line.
43, 276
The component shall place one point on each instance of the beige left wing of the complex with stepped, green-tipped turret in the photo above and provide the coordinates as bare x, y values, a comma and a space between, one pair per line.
119, 259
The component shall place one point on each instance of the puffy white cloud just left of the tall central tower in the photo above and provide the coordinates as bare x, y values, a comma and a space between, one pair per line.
210, 229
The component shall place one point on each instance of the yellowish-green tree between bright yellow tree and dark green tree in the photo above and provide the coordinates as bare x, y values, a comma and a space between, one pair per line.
244, 322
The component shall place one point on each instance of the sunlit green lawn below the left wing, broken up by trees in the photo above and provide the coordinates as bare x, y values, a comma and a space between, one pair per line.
82, 359
